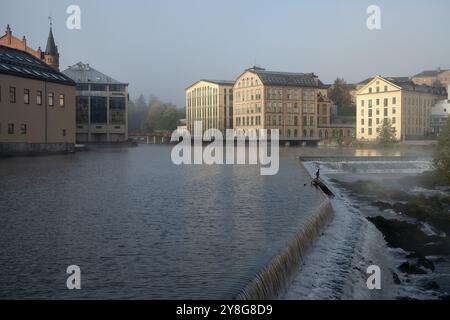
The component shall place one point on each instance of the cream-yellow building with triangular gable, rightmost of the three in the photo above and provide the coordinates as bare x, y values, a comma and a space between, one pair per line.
406, 105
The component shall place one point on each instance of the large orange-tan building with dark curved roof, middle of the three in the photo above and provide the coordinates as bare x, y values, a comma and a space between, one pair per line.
280, 100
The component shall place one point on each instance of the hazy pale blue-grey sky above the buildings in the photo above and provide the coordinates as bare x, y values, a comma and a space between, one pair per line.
161, 47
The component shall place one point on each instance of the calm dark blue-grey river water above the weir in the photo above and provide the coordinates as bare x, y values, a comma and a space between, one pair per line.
140, 227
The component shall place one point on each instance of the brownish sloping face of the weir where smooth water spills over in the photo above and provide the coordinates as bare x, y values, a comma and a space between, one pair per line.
277, 275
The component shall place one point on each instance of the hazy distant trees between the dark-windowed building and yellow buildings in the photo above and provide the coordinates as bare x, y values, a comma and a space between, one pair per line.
153, 115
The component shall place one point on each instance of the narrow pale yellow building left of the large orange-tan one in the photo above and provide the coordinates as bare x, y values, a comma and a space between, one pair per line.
211, 102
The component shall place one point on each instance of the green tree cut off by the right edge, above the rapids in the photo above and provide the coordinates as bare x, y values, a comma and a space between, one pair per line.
441, 162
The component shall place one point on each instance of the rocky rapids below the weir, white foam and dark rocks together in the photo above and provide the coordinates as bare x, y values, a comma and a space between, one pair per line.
371, 228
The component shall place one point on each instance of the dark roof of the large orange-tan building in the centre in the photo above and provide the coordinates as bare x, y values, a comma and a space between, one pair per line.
278, 78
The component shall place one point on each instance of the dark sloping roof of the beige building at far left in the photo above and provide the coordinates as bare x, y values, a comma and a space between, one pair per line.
22, 64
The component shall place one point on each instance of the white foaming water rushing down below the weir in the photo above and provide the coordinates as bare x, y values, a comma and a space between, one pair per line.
336, 267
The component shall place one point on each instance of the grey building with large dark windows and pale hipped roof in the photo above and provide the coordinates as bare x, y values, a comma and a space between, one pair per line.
101, 105
